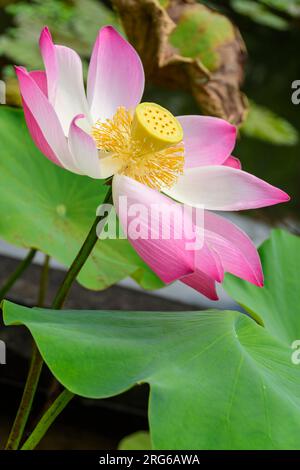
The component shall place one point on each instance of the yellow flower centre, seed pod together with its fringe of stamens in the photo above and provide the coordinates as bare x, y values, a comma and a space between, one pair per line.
149, 152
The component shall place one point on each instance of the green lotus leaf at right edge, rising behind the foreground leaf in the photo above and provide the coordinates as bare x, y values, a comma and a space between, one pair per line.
277, 303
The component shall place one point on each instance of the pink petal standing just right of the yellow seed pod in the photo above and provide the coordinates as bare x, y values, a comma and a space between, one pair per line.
207, 140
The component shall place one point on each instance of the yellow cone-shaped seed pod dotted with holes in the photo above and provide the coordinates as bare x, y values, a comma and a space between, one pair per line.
156, 127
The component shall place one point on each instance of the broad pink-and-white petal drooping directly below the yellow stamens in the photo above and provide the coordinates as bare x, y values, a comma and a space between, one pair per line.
168, 258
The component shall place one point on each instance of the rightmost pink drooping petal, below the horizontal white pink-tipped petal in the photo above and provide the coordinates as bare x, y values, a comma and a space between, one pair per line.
237, 253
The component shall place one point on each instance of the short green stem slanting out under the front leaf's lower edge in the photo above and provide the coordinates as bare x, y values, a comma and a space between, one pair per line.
48, 418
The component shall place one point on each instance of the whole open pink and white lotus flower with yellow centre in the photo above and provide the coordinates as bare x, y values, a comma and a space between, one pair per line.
152, 156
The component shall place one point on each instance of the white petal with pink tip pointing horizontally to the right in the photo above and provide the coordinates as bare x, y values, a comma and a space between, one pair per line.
224, 188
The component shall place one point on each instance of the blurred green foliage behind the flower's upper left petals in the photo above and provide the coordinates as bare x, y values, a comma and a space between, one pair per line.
74, 24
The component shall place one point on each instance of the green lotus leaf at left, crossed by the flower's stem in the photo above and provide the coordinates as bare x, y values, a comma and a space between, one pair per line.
51, 209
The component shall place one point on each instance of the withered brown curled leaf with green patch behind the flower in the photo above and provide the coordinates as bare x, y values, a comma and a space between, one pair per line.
187, 45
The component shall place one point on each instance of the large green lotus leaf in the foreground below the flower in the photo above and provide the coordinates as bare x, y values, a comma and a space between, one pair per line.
217, 379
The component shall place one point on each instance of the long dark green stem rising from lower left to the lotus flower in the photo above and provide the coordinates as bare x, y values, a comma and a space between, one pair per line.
37, 361
